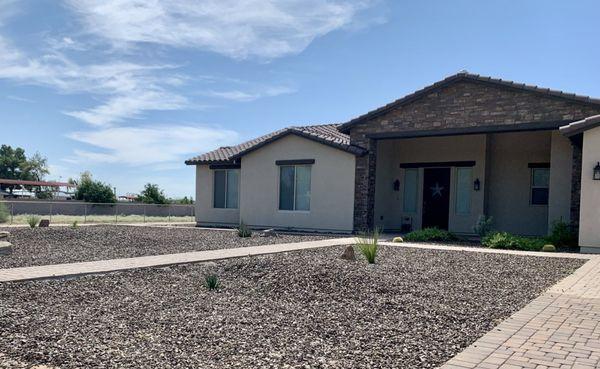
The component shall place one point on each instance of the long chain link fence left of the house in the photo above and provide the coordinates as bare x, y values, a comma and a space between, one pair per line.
69, 212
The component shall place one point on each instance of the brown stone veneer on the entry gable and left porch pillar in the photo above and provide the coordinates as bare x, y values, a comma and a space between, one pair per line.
463, 104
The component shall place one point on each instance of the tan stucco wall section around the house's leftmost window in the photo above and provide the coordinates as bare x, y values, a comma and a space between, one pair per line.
206, 214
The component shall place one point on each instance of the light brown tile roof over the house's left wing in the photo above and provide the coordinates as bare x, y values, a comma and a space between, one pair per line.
326, 134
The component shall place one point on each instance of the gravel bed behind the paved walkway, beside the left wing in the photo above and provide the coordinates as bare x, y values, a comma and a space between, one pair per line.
57, 245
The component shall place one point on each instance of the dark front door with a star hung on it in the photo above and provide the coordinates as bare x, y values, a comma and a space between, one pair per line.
436, 197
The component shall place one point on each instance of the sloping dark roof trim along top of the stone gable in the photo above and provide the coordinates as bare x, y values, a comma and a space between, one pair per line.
462, 77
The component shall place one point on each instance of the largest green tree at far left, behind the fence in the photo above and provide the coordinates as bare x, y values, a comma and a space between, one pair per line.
14, 164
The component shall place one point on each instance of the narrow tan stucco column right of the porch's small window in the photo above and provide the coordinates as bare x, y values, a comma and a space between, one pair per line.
561, 166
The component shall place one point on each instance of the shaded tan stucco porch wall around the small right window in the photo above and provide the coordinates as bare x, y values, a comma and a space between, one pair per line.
509, 181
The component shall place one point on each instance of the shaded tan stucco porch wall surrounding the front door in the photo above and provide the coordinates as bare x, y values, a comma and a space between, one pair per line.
391, 153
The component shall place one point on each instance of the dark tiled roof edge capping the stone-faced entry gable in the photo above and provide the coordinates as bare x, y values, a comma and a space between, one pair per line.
466, 76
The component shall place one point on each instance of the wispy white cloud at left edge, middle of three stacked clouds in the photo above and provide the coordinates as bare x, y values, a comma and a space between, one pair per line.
128, 89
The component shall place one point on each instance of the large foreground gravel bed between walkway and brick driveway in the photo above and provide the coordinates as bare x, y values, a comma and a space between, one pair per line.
308, 309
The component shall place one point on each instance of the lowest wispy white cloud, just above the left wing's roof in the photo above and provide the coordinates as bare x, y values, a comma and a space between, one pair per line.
163, 144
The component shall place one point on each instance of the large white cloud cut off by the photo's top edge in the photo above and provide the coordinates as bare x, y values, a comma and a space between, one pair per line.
238, 29
